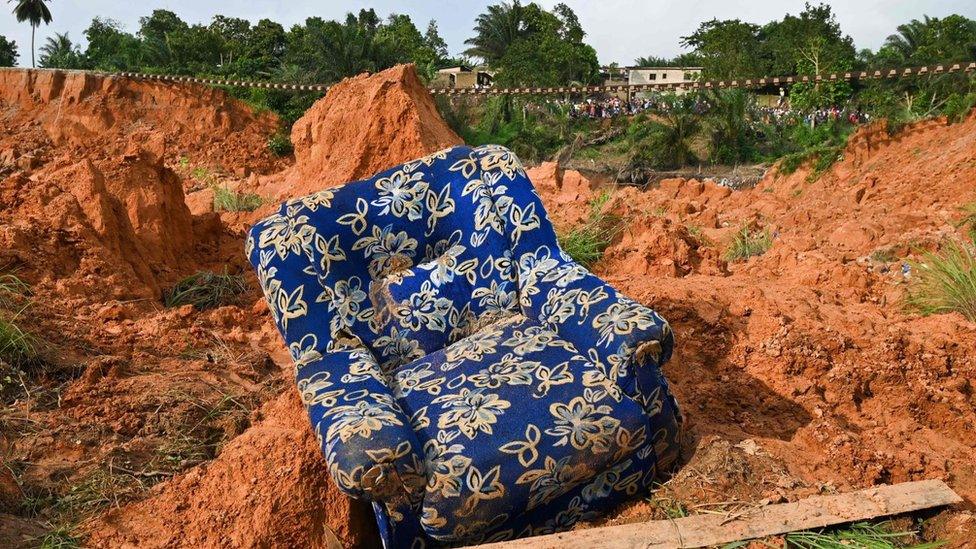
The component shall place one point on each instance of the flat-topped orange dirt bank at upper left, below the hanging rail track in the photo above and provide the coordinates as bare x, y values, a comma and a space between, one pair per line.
96, 114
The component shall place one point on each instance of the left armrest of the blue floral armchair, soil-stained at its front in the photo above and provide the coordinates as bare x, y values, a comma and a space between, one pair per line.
367, 439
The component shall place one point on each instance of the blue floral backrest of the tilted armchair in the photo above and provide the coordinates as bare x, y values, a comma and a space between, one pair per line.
417, 256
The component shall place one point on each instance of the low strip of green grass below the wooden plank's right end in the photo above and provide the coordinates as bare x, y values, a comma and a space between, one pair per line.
866, 535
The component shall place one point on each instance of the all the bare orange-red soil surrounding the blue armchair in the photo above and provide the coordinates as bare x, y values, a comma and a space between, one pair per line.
799, 370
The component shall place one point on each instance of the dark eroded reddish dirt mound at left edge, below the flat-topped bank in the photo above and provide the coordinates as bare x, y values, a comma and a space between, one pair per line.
96, 229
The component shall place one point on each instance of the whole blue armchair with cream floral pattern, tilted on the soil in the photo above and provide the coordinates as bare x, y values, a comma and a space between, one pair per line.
460, 371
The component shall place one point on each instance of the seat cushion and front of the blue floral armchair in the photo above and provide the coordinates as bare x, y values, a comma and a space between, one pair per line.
510, 419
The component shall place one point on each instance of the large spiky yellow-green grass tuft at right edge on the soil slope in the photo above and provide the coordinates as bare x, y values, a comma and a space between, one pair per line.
944, 281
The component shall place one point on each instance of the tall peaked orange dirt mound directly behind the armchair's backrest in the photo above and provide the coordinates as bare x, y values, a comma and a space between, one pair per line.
363, 125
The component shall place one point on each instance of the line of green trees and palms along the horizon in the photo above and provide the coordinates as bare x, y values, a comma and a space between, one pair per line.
525, 44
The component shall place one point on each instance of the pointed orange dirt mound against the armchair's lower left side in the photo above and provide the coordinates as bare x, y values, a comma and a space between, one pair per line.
269, 488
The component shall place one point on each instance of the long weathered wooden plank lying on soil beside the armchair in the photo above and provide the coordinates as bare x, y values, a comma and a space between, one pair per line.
758, 522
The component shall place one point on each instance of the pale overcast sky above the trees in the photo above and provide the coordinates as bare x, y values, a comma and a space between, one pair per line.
620, 30
